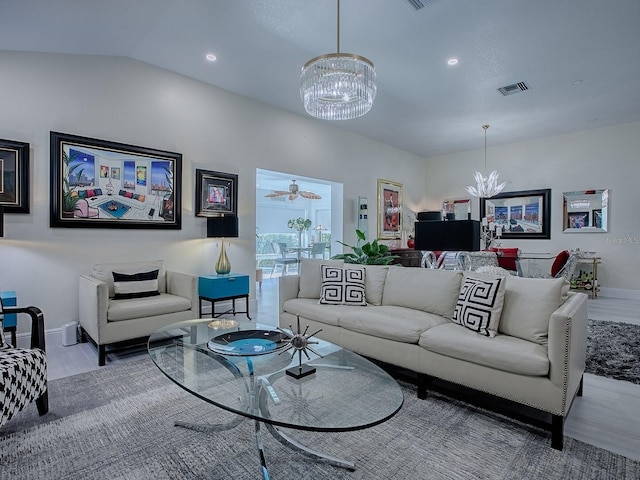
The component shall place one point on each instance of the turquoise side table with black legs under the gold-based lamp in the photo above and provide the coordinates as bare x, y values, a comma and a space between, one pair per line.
217, 288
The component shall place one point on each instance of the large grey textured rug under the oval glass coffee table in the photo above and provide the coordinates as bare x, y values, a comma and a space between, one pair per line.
117, 423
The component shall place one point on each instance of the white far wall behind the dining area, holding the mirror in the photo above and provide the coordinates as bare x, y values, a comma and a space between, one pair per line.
601, 158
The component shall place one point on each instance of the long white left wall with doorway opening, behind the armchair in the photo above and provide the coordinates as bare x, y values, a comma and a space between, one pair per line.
126, 101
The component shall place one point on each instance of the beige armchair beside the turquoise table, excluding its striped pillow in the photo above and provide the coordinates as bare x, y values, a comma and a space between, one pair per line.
107, 320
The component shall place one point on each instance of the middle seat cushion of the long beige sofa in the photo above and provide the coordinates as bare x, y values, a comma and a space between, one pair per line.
394, 323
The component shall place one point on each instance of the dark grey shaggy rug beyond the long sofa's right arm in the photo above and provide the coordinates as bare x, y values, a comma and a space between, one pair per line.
613, 350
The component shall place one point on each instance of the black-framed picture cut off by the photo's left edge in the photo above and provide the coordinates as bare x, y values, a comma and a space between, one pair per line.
14, 176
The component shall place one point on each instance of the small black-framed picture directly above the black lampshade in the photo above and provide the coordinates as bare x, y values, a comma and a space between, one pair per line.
216, 193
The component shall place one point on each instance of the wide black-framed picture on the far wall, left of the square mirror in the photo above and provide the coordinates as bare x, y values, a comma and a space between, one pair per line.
524, 214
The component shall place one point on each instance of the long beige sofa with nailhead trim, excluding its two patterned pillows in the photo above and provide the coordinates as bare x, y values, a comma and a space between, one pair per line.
536, 359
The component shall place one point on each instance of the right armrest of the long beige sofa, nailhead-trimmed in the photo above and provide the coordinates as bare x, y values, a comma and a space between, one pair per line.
567, 343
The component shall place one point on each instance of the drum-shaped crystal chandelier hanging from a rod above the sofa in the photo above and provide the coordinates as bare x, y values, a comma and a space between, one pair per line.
338, 86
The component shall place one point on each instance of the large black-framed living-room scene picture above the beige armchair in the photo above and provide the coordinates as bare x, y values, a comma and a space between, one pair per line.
141, 189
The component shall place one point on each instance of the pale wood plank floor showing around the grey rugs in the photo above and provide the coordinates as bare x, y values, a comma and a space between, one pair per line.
607, 415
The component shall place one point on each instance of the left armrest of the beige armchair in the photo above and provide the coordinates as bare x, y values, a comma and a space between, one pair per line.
93, 303
